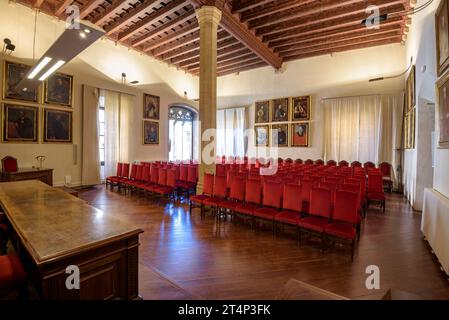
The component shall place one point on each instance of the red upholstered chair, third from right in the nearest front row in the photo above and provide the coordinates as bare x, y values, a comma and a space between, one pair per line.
291, 207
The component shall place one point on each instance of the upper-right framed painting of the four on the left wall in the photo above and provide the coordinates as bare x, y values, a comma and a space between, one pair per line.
58, 90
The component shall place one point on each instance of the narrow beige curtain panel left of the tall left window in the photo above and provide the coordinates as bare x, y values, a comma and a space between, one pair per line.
90, 172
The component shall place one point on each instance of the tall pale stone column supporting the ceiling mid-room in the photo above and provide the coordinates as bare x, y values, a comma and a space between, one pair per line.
208, 19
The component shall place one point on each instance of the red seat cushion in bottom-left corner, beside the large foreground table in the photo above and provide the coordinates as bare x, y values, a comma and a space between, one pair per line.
11, 271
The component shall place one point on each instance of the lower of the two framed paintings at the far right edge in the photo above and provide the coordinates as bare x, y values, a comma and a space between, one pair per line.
443, 111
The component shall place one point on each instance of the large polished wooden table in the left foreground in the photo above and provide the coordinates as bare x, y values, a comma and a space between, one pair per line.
53, 230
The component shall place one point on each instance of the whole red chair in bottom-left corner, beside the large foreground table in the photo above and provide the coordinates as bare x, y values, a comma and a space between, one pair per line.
12, 275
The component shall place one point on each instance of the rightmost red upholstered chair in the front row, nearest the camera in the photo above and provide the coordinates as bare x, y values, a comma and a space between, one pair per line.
345, 218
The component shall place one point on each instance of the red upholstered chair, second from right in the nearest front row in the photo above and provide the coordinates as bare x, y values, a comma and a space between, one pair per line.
319, 214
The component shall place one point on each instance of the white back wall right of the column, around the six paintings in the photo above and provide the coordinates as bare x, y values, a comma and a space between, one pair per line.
342, 74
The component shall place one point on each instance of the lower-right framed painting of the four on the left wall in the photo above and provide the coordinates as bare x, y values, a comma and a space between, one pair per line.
57, 126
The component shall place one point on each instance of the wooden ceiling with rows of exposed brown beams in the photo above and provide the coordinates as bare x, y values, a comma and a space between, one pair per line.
252, 33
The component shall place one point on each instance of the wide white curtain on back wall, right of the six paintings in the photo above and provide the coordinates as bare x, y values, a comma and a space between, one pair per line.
366, 128
